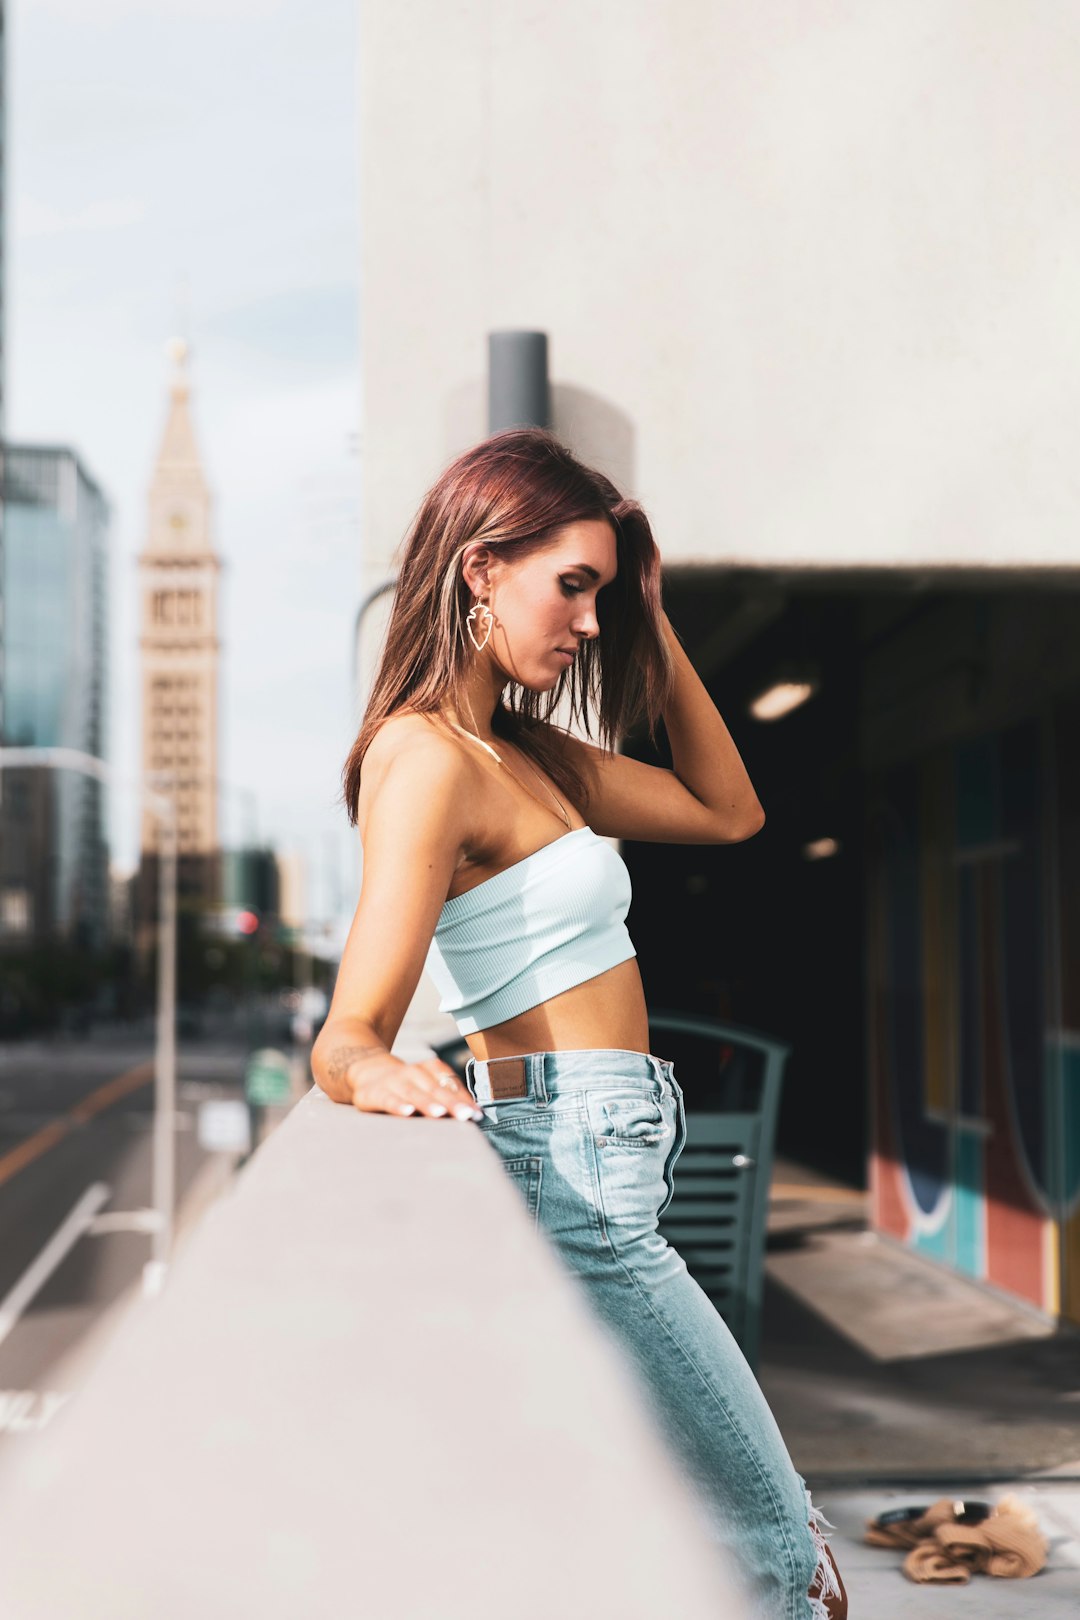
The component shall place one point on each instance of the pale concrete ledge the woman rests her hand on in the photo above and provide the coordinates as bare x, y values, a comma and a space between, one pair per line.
367, 1389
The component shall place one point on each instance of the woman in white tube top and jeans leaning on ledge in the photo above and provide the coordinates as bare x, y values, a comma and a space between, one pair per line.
483, 825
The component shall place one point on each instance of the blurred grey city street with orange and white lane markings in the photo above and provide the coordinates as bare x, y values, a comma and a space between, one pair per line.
77, 1122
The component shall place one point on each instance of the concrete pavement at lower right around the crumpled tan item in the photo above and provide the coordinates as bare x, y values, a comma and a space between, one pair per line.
896, 1383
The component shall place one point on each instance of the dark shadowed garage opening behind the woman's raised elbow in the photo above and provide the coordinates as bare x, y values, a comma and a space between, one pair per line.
760, 934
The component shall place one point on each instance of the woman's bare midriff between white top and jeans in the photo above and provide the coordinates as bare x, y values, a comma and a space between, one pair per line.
605, 1012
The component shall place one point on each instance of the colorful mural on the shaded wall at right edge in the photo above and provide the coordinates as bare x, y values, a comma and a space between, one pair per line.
974, 984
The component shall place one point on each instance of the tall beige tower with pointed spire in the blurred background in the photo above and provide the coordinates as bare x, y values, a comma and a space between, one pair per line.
179, 642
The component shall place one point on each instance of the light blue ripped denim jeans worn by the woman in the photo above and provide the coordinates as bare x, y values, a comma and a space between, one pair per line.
590, 1140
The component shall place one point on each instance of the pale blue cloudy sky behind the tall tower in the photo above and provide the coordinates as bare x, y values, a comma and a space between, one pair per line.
192, 166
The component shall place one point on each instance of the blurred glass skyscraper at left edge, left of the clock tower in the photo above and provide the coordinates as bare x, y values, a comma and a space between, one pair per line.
54, 864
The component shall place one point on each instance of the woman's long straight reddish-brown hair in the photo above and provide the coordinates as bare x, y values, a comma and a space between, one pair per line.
512, 492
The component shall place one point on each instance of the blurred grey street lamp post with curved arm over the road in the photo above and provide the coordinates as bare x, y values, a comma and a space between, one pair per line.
159, 1219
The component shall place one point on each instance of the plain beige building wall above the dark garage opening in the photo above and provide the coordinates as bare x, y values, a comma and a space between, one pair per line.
807, 271
